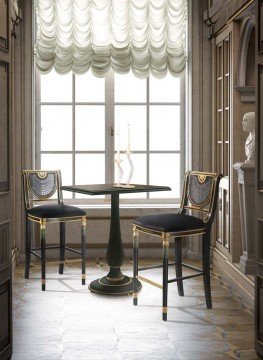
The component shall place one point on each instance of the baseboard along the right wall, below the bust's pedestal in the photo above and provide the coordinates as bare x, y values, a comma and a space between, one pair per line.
239, 283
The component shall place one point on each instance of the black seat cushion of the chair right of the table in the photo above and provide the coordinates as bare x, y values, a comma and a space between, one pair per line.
170, 222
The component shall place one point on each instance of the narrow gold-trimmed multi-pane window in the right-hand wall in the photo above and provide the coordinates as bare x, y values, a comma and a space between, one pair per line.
221, 126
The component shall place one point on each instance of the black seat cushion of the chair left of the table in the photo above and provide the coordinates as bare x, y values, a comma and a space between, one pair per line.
55, 211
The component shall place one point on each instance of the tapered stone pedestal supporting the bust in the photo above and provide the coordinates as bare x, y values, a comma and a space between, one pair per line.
246, 188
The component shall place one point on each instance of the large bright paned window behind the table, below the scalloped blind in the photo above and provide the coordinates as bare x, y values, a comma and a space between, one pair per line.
79, 117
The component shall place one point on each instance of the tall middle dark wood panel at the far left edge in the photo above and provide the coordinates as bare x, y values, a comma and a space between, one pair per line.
4, 126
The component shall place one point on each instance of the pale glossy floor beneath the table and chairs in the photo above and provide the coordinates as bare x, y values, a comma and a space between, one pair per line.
69, 322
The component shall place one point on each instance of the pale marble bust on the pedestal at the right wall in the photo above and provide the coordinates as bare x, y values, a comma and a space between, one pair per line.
248, 124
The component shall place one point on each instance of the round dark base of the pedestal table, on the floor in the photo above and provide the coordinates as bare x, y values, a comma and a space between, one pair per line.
106, 286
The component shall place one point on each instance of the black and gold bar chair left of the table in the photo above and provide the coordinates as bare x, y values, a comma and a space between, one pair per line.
39, 186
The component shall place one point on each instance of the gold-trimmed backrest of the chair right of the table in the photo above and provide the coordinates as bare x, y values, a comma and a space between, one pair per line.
200, 193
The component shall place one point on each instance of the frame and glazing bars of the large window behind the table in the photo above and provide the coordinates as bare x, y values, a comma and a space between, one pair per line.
109, 138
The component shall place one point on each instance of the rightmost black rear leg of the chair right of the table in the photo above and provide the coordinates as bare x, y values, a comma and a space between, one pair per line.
206, 268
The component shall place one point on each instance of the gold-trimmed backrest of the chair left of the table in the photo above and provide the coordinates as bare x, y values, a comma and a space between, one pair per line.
41, 185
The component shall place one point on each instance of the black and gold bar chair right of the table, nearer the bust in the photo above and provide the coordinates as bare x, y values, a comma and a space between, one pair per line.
200, 193
